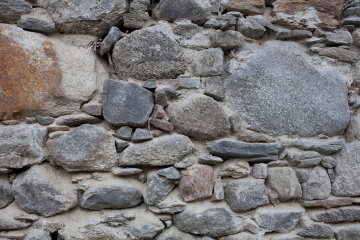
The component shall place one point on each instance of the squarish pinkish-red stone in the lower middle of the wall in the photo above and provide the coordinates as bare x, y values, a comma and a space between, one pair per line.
197, 182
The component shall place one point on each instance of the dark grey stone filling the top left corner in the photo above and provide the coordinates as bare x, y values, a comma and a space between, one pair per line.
11, 10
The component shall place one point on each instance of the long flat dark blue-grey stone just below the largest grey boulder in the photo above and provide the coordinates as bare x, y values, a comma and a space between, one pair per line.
251, 152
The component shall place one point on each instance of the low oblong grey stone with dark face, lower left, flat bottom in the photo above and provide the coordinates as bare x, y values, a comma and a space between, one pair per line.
111, 197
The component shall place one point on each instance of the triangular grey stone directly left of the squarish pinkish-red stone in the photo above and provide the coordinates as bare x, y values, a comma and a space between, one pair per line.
158, 188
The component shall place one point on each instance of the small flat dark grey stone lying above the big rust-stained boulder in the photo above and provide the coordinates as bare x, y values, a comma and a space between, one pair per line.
36, 25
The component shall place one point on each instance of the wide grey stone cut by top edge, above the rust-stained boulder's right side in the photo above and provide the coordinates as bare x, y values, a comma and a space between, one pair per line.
86, 17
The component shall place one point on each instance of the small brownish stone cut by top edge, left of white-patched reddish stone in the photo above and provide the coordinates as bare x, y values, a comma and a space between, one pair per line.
247, 7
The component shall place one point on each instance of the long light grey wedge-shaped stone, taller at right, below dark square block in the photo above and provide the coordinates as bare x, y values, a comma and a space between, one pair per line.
163, 151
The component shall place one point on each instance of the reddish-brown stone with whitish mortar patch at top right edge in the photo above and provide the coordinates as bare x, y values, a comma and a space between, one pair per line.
328, 12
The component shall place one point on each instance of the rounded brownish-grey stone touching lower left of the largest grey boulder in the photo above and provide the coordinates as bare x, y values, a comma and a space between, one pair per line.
200, 117
